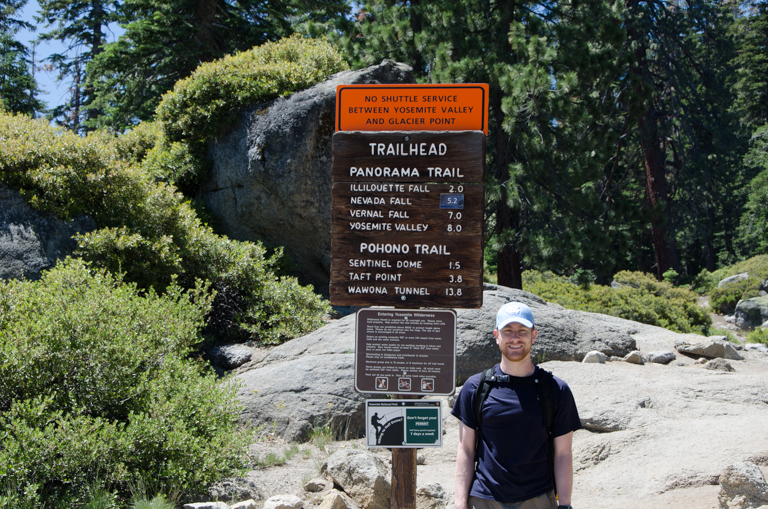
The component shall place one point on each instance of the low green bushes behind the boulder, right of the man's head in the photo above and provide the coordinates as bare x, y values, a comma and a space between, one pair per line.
640, 298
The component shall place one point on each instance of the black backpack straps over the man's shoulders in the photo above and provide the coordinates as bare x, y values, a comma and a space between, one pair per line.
543, 383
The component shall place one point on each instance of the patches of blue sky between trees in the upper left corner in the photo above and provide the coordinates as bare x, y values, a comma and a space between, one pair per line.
53, 93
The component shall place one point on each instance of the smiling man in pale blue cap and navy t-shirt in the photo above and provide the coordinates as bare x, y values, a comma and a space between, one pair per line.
513, 471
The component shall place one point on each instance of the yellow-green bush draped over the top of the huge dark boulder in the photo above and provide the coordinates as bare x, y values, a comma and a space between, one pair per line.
205, 103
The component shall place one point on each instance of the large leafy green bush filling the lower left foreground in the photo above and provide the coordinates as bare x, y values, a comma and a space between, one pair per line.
97, 391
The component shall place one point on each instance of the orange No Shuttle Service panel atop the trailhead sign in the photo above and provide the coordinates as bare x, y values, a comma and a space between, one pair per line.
446, 107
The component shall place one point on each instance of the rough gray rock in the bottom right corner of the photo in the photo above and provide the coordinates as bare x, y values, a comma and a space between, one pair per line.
742, 486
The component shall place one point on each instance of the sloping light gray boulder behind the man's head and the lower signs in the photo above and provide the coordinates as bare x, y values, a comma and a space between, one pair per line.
308, 382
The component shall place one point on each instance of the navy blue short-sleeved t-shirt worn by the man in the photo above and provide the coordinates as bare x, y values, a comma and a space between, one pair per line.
512, 455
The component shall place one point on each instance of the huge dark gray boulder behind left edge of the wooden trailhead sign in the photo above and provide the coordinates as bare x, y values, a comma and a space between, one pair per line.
271, 175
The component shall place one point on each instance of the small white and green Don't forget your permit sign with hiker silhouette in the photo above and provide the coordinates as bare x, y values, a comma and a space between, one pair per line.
403, 424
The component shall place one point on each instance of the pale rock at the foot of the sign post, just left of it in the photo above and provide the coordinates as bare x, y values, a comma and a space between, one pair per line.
362, 476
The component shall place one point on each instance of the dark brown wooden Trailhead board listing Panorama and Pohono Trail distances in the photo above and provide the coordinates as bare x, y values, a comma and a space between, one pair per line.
407, 219
